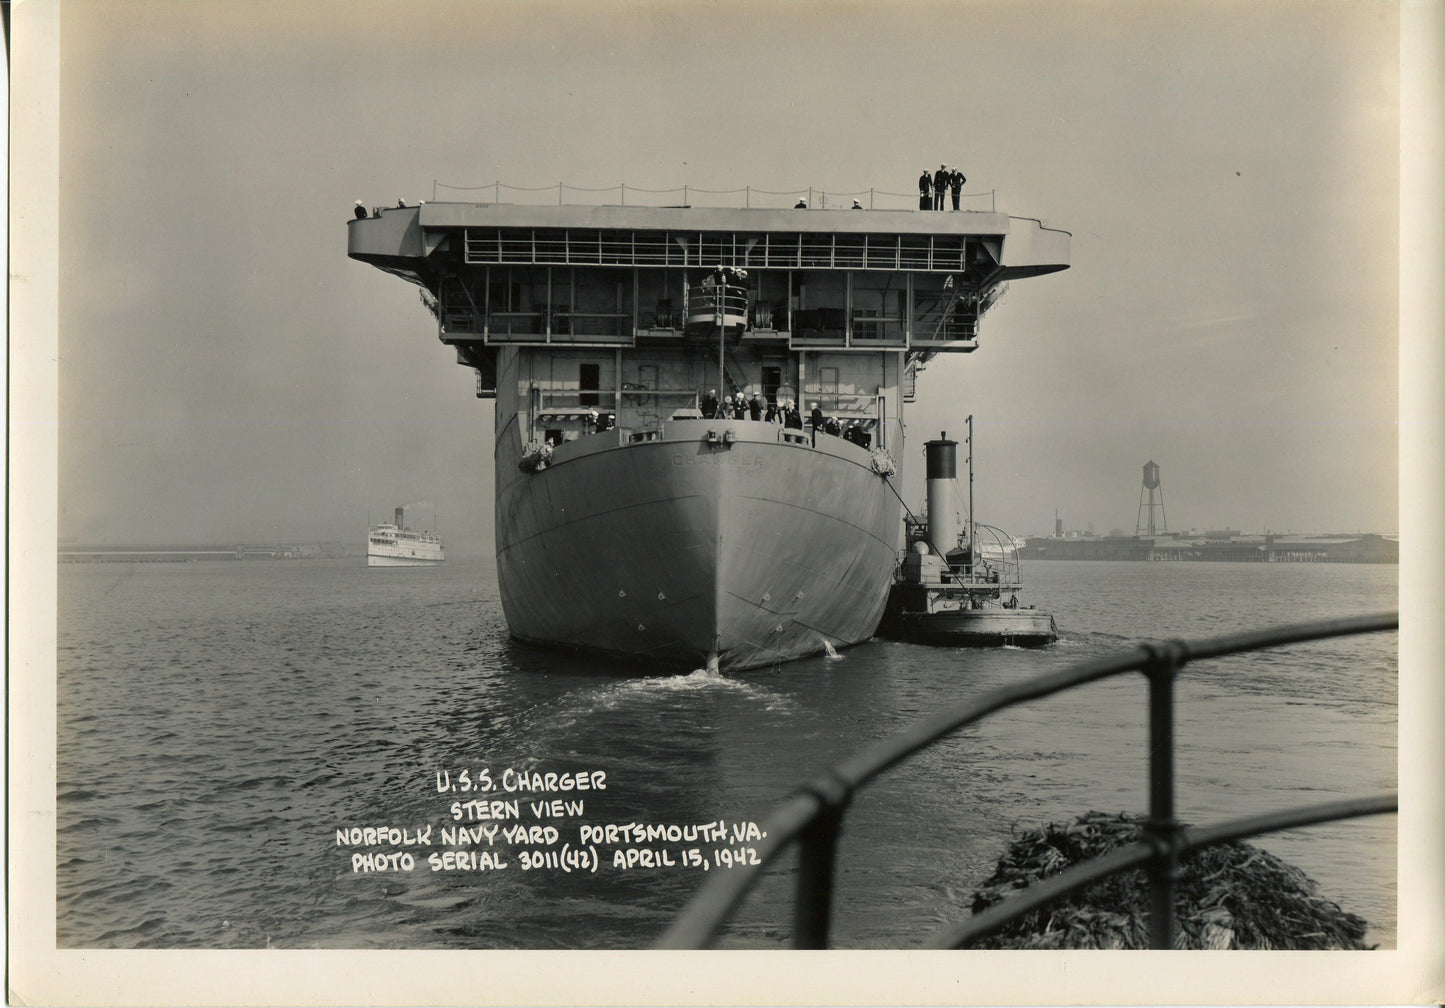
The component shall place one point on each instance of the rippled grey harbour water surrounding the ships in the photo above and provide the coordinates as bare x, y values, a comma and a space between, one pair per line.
219, 723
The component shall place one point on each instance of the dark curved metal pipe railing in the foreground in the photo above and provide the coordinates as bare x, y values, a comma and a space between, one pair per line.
814, 817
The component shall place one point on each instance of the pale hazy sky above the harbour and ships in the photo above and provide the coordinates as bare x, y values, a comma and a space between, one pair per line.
1229, 173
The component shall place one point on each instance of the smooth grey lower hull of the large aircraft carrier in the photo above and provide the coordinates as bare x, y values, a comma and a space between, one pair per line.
687, 552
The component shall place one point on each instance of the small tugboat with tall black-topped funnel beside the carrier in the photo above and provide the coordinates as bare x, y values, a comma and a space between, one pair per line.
959, 584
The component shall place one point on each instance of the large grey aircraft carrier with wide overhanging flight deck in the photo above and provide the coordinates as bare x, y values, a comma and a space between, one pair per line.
628, 522
